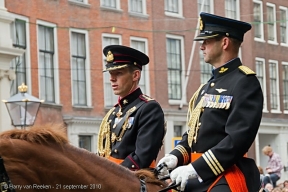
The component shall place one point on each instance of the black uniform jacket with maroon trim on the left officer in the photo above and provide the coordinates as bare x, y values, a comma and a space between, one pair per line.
138, 145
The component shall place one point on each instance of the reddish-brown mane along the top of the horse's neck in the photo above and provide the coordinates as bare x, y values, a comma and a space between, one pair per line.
37, 134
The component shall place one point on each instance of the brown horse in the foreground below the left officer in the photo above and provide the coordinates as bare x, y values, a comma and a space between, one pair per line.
41, 159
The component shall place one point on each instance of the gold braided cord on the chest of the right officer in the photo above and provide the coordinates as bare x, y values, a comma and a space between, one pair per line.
193, 115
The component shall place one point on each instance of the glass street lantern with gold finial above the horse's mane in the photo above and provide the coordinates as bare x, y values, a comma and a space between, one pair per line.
22, 107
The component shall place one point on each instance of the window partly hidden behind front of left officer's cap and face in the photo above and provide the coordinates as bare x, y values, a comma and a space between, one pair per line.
110, 98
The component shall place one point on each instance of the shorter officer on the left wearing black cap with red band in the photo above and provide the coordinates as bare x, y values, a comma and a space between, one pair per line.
132, 132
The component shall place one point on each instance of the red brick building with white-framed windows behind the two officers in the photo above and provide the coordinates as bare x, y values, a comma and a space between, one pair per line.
63, 60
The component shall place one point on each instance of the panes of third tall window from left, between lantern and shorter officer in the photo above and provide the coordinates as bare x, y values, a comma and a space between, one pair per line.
79, 84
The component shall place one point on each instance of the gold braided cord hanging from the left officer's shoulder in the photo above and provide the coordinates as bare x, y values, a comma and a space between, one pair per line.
104, 149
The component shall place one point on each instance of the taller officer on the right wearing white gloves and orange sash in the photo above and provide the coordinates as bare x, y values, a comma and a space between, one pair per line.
223, 118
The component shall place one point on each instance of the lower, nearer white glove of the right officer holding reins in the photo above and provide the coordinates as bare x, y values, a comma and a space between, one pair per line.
182, 174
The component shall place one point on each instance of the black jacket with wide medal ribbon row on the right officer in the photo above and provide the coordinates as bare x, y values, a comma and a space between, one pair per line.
231, 112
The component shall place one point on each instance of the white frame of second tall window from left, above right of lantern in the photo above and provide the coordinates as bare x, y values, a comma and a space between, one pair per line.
55, 59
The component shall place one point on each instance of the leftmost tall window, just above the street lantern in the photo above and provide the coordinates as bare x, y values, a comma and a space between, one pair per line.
18, 64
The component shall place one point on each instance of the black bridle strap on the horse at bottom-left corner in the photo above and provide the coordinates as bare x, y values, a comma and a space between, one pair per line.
5, 183
